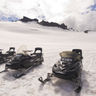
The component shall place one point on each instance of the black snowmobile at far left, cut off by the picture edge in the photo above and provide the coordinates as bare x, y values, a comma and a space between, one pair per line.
7, 56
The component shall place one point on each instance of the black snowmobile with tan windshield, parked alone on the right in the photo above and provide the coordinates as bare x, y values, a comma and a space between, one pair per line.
69, 67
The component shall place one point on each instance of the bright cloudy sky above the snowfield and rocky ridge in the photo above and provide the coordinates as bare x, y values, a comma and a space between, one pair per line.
74, 13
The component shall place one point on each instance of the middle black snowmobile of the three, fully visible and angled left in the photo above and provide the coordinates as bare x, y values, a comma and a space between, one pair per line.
23, 62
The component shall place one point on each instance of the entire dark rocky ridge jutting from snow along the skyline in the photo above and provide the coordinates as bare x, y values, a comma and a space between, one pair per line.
44, 23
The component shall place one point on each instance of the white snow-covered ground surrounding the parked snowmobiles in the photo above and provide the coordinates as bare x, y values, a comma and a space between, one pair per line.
53, 41
